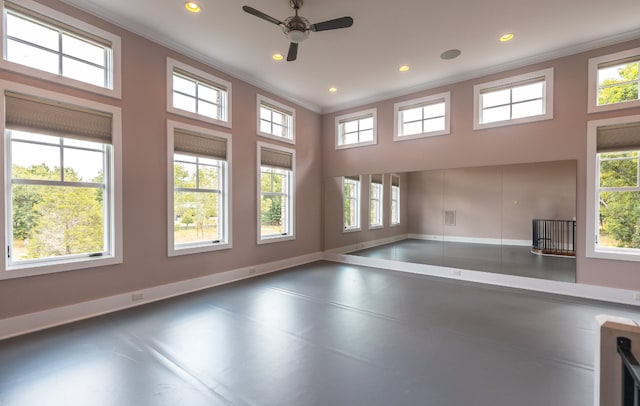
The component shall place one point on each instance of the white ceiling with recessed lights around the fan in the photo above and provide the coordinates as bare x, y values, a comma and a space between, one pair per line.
362, 61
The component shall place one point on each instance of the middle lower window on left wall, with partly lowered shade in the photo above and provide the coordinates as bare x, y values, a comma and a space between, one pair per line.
199, 183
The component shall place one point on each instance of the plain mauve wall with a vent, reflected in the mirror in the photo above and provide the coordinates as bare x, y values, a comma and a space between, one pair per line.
494, 202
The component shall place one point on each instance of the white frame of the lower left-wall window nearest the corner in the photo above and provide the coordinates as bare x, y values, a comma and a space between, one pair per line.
290, 235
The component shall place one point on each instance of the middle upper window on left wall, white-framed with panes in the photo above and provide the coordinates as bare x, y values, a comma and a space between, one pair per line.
197, 94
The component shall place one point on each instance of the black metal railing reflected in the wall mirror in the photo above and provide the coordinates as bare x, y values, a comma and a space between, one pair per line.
554, 237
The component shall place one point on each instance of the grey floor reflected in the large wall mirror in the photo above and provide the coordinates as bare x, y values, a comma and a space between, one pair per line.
502, 259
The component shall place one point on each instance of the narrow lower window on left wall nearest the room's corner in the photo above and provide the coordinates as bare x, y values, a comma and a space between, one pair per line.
276, 193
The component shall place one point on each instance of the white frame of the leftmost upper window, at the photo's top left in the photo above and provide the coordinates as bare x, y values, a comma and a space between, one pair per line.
61, 21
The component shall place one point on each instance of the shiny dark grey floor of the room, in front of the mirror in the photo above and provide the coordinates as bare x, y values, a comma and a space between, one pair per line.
319, 334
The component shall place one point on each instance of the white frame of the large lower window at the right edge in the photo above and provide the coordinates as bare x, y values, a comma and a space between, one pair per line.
592, 195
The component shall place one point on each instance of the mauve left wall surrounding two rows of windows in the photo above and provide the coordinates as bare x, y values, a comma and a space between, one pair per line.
145, 187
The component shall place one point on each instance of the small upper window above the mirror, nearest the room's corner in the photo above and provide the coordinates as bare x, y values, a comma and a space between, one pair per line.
356, 129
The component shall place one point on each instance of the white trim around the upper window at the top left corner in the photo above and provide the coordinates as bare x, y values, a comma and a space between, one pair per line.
116, 52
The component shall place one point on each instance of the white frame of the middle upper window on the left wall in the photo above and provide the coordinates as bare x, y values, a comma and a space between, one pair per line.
210, 80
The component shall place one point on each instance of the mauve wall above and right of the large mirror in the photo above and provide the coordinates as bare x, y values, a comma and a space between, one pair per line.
563, 138
